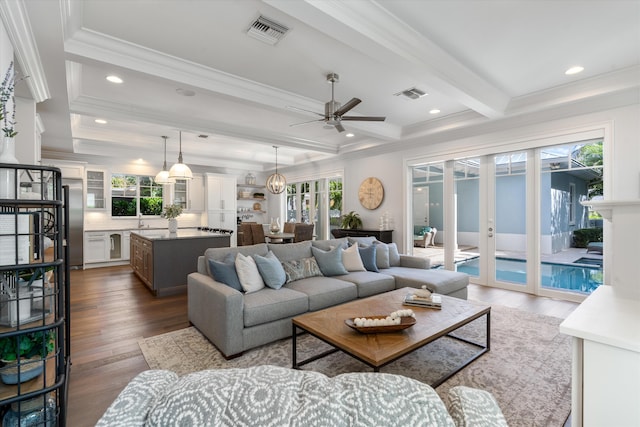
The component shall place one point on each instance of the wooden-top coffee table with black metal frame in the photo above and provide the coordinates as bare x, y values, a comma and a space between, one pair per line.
378, 350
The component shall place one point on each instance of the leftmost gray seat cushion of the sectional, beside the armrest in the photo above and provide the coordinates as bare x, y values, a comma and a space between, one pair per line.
269, 304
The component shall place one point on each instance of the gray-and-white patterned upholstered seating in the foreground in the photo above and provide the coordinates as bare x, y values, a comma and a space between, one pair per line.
274, 396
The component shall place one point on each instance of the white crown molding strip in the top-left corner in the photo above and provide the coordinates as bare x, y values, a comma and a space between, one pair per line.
18, 26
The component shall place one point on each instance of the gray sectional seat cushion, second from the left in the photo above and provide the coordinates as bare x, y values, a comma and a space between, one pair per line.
324, 292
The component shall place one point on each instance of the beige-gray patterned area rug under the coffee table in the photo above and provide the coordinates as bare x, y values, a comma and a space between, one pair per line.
528, 369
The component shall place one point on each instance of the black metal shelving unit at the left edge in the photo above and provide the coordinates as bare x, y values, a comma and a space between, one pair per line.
34, 294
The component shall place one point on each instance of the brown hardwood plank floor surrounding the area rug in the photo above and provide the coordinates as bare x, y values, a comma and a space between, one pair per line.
111, 309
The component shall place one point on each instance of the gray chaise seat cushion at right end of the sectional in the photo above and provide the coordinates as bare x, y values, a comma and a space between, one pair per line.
439, 281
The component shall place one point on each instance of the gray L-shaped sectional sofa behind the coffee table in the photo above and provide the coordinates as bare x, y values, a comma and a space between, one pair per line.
235, 321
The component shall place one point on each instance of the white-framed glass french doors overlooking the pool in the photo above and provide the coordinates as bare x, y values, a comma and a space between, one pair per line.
508, 219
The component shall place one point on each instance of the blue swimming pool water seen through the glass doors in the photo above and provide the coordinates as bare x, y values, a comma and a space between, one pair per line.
568, 277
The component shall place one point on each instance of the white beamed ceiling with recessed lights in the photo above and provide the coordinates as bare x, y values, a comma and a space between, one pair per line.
478, 60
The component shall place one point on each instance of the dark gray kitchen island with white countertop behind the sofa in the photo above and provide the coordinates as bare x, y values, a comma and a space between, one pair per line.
162, 260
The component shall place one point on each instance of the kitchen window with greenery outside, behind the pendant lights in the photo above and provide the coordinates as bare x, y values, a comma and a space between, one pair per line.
133, 195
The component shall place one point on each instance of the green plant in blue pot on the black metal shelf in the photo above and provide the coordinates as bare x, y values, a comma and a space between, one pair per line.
23, 355
